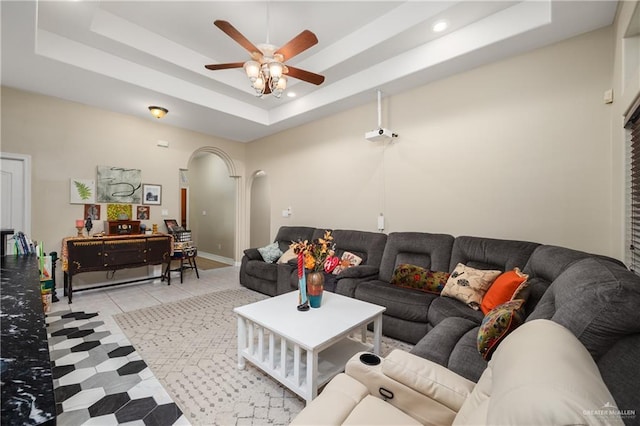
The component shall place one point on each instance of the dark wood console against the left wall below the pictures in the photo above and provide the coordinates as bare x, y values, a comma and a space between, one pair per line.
112, 253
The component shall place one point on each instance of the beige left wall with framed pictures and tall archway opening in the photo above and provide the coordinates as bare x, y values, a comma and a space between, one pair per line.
68, 140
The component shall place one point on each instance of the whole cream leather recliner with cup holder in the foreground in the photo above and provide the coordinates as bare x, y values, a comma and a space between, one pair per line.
539, 375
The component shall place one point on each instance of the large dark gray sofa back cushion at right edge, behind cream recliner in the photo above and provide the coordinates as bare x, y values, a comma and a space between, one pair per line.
595, 299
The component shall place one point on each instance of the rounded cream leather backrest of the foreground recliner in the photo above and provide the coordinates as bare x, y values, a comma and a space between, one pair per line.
525, 384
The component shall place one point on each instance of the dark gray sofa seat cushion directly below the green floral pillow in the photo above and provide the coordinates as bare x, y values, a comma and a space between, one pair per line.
408, 304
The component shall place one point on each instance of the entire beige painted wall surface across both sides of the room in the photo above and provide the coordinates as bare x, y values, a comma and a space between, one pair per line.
523, 148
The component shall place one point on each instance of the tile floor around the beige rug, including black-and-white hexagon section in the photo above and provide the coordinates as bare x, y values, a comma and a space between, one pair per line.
99, 379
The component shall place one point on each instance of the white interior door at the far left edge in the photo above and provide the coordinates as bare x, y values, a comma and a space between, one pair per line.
15, 192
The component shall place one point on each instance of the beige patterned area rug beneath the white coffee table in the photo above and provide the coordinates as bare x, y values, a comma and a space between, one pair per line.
190, 345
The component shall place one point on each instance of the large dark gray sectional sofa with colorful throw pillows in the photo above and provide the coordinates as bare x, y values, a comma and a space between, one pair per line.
595, 297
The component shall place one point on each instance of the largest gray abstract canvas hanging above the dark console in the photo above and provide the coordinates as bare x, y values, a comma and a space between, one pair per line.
119, 185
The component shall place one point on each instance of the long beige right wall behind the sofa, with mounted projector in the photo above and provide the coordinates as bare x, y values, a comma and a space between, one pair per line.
517, 149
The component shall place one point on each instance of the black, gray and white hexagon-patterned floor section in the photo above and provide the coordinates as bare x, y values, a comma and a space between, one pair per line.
99, 379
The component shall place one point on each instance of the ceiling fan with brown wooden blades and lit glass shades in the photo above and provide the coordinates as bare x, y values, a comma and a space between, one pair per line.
266, 69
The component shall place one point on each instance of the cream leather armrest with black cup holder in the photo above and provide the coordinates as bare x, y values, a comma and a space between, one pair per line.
423, 389
